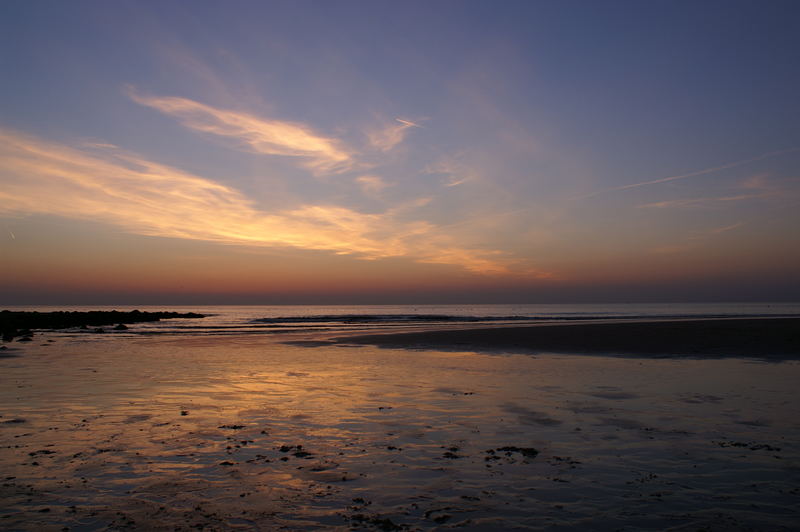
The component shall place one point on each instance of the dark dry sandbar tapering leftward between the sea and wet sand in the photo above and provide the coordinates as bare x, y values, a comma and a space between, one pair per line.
773, 338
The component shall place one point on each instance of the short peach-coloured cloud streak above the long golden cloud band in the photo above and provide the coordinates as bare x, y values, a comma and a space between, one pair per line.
256, 134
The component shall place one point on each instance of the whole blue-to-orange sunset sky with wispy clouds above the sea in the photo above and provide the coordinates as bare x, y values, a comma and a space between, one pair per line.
247, 152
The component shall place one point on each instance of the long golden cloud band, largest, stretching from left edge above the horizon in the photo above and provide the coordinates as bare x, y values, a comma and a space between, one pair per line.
148, 198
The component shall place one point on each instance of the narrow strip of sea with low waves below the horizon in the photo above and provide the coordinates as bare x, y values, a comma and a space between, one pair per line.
230, 319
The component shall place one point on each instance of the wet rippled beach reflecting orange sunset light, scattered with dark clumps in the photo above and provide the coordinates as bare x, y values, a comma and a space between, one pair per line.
301, 431
